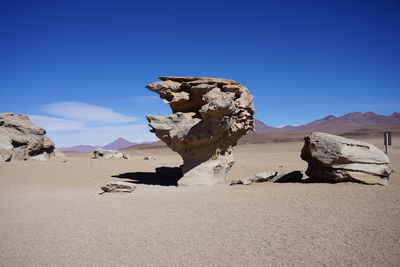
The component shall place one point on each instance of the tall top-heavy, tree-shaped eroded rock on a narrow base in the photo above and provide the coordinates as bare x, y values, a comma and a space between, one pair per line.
209, 116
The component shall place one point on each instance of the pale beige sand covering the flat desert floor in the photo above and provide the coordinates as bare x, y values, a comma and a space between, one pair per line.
52, 215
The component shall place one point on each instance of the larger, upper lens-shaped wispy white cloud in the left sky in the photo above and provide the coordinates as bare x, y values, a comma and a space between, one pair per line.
86, 113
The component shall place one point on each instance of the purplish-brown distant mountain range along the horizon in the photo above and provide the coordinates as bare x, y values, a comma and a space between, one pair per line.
352, 125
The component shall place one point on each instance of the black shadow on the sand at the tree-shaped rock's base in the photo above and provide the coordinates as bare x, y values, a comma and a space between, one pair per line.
163, 176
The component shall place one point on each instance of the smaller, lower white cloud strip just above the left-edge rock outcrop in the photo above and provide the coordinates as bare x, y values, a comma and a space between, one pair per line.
52, 124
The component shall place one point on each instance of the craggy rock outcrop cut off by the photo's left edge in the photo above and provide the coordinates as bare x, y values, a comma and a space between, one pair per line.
20, 139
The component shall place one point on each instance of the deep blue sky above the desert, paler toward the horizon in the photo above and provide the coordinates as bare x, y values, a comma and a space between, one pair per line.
302, 60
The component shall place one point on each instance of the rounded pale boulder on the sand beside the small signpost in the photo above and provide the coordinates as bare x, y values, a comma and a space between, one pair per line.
336, 159
